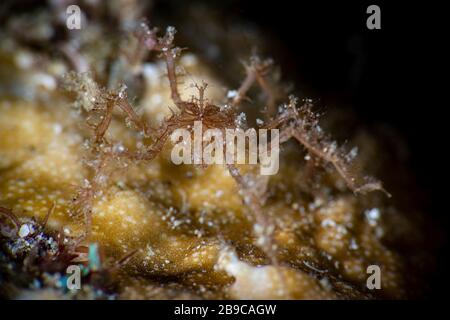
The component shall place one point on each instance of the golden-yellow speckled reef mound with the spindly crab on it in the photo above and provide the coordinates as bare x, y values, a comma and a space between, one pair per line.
101, 173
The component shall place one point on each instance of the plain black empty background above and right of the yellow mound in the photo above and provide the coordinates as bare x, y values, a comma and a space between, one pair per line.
391, 76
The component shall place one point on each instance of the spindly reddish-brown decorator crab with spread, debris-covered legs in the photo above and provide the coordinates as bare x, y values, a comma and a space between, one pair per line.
300, 123
